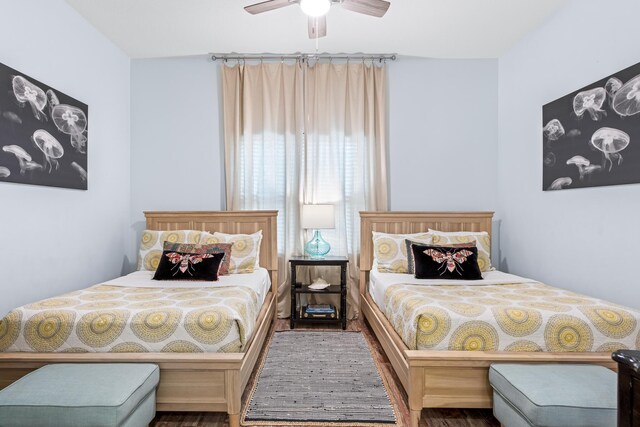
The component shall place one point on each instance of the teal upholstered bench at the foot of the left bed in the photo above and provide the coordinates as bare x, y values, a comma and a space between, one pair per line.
82, 395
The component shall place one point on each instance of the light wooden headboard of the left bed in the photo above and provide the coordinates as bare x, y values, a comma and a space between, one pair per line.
231, 222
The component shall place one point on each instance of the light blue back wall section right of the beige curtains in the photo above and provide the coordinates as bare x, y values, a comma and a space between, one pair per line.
443, 134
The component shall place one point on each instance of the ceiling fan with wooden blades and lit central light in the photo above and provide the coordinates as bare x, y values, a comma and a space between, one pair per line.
317, 10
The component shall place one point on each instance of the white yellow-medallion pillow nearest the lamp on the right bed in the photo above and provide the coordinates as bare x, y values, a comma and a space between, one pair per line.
390, 250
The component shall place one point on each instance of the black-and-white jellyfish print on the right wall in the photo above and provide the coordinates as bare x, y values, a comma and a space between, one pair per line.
591, 137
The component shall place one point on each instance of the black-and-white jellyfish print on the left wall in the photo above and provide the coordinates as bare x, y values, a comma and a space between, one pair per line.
43, 133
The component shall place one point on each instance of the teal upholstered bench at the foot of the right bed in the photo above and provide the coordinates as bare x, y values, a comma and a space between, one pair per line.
557, 395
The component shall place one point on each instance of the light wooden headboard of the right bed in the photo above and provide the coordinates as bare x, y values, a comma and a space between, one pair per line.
413, 222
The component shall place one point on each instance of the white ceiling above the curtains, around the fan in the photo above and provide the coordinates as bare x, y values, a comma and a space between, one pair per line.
426, 28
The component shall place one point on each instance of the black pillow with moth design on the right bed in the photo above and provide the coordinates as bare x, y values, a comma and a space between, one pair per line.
442, 262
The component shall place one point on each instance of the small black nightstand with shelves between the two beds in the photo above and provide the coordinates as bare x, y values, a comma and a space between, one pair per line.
303, 288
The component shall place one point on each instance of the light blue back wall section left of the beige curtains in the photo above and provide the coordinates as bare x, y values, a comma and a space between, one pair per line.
176, 157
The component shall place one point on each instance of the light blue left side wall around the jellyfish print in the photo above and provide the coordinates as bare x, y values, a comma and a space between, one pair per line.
55, 240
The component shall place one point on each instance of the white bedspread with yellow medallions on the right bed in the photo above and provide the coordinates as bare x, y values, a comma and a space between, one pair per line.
509, 317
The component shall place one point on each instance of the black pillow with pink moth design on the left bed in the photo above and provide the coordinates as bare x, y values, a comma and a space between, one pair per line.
188, 266
